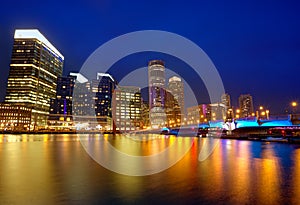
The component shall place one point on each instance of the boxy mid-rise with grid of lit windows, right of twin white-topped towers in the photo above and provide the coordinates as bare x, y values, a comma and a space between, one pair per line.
127, 108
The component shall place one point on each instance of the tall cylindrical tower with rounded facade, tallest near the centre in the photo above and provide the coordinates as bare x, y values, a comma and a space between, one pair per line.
156, 77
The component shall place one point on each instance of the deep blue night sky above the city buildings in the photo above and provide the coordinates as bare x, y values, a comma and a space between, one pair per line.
255, 45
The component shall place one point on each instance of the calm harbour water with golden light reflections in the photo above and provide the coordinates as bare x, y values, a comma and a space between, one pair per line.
55, 169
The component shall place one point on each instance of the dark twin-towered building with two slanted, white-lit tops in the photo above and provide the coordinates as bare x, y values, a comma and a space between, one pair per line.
93, 100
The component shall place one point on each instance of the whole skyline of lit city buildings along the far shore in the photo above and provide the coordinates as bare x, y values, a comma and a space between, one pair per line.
36, 61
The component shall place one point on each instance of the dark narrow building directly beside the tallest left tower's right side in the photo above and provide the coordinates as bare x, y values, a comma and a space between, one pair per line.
60, 116
